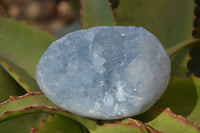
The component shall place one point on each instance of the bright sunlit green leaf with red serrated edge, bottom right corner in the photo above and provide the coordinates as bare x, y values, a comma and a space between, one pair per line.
168, 122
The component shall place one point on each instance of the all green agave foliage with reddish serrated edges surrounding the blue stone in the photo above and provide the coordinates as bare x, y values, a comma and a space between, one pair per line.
27, 109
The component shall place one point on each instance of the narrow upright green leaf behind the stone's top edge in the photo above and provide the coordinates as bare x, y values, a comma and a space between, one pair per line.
96, 13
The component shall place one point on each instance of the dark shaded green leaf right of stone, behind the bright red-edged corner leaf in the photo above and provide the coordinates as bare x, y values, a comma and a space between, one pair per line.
182, 96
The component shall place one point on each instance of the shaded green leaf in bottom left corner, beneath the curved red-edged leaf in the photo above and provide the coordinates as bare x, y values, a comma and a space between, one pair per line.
22, 124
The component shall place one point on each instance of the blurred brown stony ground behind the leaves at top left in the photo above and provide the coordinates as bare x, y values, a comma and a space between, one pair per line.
47, 15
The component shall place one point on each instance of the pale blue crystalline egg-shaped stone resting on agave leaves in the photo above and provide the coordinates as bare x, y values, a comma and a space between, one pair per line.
105, 72
